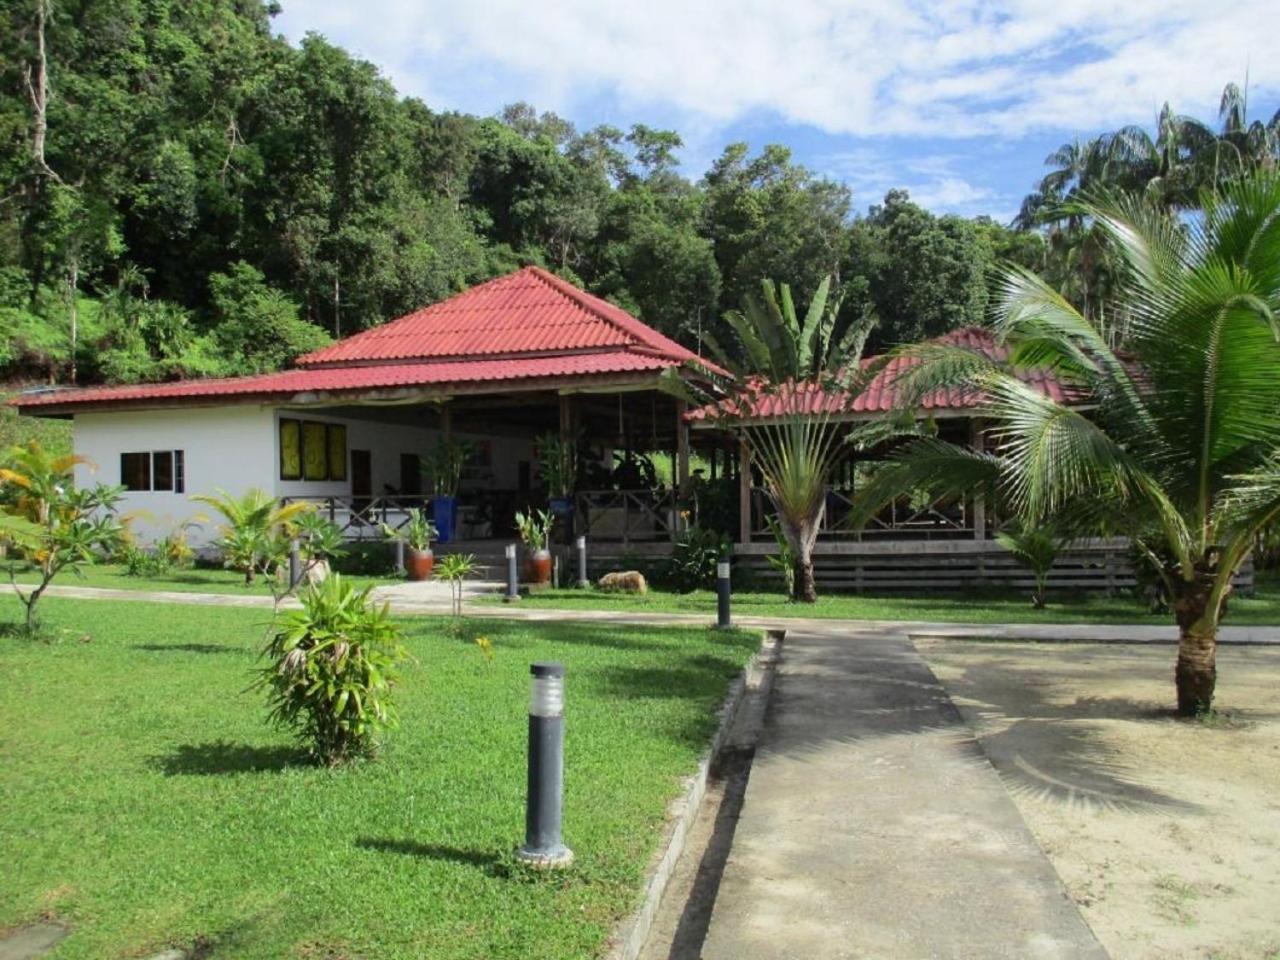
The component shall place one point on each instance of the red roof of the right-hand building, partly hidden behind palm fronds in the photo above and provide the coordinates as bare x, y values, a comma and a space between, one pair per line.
881, 396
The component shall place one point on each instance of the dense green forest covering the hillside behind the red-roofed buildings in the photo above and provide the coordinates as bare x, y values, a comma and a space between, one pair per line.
186, 194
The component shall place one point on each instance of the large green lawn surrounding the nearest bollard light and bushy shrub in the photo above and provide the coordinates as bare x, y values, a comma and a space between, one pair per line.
148, 804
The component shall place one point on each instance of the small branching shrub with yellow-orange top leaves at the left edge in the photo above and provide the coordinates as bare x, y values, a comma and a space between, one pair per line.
51, 524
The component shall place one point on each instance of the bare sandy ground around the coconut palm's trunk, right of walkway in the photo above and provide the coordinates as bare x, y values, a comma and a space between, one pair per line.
1167, 833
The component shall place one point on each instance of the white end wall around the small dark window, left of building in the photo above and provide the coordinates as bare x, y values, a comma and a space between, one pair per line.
230, 449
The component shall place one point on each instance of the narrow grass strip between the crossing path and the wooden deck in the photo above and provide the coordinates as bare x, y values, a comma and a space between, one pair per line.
975, 607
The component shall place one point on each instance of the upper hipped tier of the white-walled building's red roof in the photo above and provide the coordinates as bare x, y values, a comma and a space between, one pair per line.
528, 313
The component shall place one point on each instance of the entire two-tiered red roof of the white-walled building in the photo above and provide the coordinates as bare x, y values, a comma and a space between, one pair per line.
522, 328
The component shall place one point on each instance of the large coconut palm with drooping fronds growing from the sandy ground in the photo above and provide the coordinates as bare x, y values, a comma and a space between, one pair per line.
1182, 445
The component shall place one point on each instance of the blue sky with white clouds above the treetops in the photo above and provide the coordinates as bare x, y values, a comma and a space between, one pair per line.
959, 102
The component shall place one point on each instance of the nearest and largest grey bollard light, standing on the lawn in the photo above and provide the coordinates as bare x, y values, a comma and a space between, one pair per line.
546, 801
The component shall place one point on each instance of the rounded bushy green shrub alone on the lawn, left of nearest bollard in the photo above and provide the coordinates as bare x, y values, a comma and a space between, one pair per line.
332, 669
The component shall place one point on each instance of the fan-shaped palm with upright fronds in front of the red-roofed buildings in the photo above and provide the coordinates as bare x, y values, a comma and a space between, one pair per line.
808, 377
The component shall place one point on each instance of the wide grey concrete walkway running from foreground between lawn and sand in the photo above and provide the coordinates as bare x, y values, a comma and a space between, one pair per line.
874, 826
